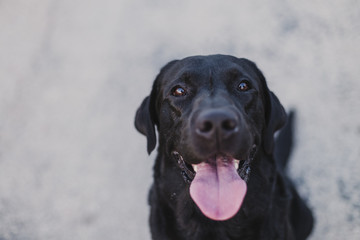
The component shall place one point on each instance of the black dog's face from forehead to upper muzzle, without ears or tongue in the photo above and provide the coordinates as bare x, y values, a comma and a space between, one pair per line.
209, 107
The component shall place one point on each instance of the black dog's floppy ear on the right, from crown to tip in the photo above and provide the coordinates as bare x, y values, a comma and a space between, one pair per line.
275, 116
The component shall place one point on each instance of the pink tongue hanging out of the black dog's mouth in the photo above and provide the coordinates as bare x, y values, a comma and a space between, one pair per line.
218, 190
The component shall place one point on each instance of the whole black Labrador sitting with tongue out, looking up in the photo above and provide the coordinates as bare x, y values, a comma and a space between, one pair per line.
218, 173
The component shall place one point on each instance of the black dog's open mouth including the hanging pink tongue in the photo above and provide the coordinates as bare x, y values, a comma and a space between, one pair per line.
218, 184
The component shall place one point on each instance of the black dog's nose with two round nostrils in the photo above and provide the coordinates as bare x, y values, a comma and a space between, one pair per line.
216, 124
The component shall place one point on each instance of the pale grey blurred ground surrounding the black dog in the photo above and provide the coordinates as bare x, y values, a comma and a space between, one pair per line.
73, 72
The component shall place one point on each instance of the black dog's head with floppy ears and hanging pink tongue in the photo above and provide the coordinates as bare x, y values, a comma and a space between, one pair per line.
212, 114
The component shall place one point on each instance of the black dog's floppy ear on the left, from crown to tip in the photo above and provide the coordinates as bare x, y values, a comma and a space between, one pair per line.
146, 115
